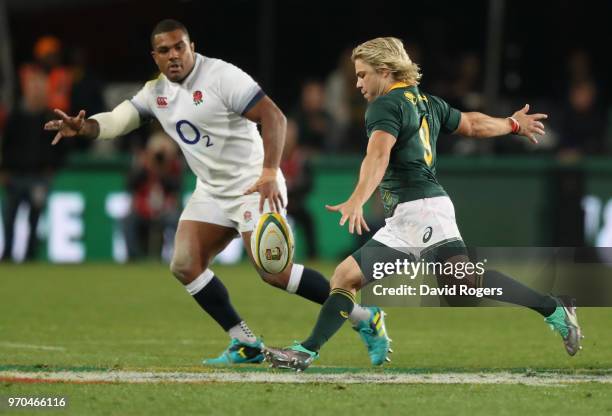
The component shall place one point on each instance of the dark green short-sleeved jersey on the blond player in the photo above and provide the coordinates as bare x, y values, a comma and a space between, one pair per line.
415, 119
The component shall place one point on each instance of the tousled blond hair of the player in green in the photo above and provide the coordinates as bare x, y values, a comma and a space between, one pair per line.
388, 53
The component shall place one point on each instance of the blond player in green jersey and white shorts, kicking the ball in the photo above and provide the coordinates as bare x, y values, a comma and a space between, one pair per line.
403, 124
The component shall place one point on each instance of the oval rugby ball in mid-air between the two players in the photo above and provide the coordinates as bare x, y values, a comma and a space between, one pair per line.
272, 243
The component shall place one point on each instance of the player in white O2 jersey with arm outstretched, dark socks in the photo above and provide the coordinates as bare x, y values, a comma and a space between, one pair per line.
211, 109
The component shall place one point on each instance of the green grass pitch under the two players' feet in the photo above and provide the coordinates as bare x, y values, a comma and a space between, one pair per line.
138, 318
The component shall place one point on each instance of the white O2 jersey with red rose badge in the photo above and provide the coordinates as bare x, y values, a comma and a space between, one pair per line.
204, 115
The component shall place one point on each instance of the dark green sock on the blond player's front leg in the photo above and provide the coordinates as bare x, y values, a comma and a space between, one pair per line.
334, 312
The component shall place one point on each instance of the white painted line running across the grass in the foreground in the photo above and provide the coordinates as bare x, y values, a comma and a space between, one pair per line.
540, 379
